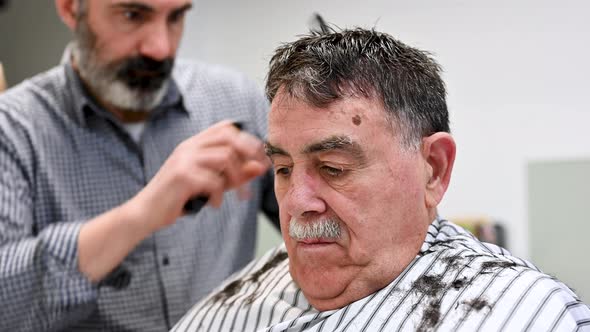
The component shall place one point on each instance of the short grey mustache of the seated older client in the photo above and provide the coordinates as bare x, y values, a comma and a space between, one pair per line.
325, 228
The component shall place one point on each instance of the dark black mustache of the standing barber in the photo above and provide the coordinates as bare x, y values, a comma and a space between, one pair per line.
144, 73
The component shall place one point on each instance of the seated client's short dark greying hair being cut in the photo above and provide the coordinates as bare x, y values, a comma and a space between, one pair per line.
321, 68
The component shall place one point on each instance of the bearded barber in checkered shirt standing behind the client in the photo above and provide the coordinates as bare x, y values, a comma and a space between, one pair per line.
98, 159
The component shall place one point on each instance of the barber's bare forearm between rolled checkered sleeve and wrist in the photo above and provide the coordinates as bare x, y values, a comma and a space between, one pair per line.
106, 240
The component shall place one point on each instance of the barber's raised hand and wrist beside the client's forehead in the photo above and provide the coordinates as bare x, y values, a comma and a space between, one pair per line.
208, 164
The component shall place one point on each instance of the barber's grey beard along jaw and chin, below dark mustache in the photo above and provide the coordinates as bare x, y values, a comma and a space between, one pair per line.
102, 79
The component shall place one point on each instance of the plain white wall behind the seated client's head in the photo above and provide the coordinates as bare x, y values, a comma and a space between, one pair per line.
516, 73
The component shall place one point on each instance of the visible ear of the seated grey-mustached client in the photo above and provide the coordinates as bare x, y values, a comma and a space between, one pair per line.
438, 151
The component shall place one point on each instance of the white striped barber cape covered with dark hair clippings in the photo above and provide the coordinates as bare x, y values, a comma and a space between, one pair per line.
455, 283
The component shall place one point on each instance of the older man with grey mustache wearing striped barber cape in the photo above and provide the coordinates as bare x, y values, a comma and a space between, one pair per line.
360, 143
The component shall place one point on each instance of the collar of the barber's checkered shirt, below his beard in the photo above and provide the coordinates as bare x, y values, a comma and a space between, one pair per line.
84, 105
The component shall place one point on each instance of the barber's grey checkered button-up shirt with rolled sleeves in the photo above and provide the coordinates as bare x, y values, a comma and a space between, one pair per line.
64, 161
